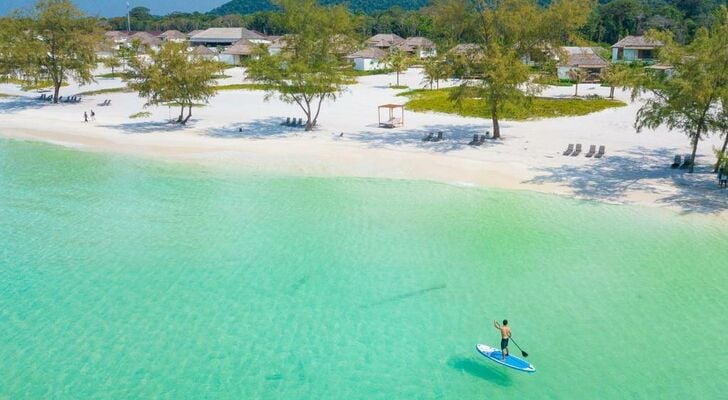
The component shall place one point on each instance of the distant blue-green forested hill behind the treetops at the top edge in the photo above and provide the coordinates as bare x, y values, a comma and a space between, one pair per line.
366, 6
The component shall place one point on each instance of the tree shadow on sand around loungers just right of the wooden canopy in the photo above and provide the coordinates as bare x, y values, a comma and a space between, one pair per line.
454, 137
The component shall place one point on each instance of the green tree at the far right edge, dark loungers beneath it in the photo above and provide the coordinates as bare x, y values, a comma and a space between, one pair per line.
686, 99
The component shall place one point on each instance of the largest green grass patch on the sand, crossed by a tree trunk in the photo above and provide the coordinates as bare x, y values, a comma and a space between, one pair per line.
538, 107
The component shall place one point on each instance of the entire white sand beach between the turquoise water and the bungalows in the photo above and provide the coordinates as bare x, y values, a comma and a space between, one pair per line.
635, 169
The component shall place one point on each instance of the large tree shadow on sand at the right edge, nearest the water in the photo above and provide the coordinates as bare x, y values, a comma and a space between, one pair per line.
612, 177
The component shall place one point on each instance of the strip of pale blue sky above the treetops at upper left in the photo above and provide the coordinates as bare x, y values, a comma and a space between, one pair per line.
112, 8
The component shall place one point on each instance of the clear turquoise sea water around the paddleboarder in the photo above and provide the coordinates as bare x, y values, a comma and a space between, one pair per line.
124, 278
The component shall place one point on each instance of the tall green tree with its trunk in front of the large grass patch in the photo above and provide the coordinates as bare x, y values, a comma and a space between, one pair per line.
512, 30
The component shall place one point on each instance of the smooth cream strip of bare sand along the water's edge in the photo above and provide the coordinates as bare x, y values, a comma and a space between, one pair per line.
308, 163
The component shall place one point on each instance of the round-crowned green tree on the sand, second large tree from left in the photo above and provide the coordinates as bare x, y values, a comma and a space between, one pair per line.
173, 76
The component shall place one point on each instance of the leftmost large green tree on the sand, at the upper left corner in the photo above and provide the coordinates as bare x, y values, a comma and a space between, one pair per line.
55, 42
